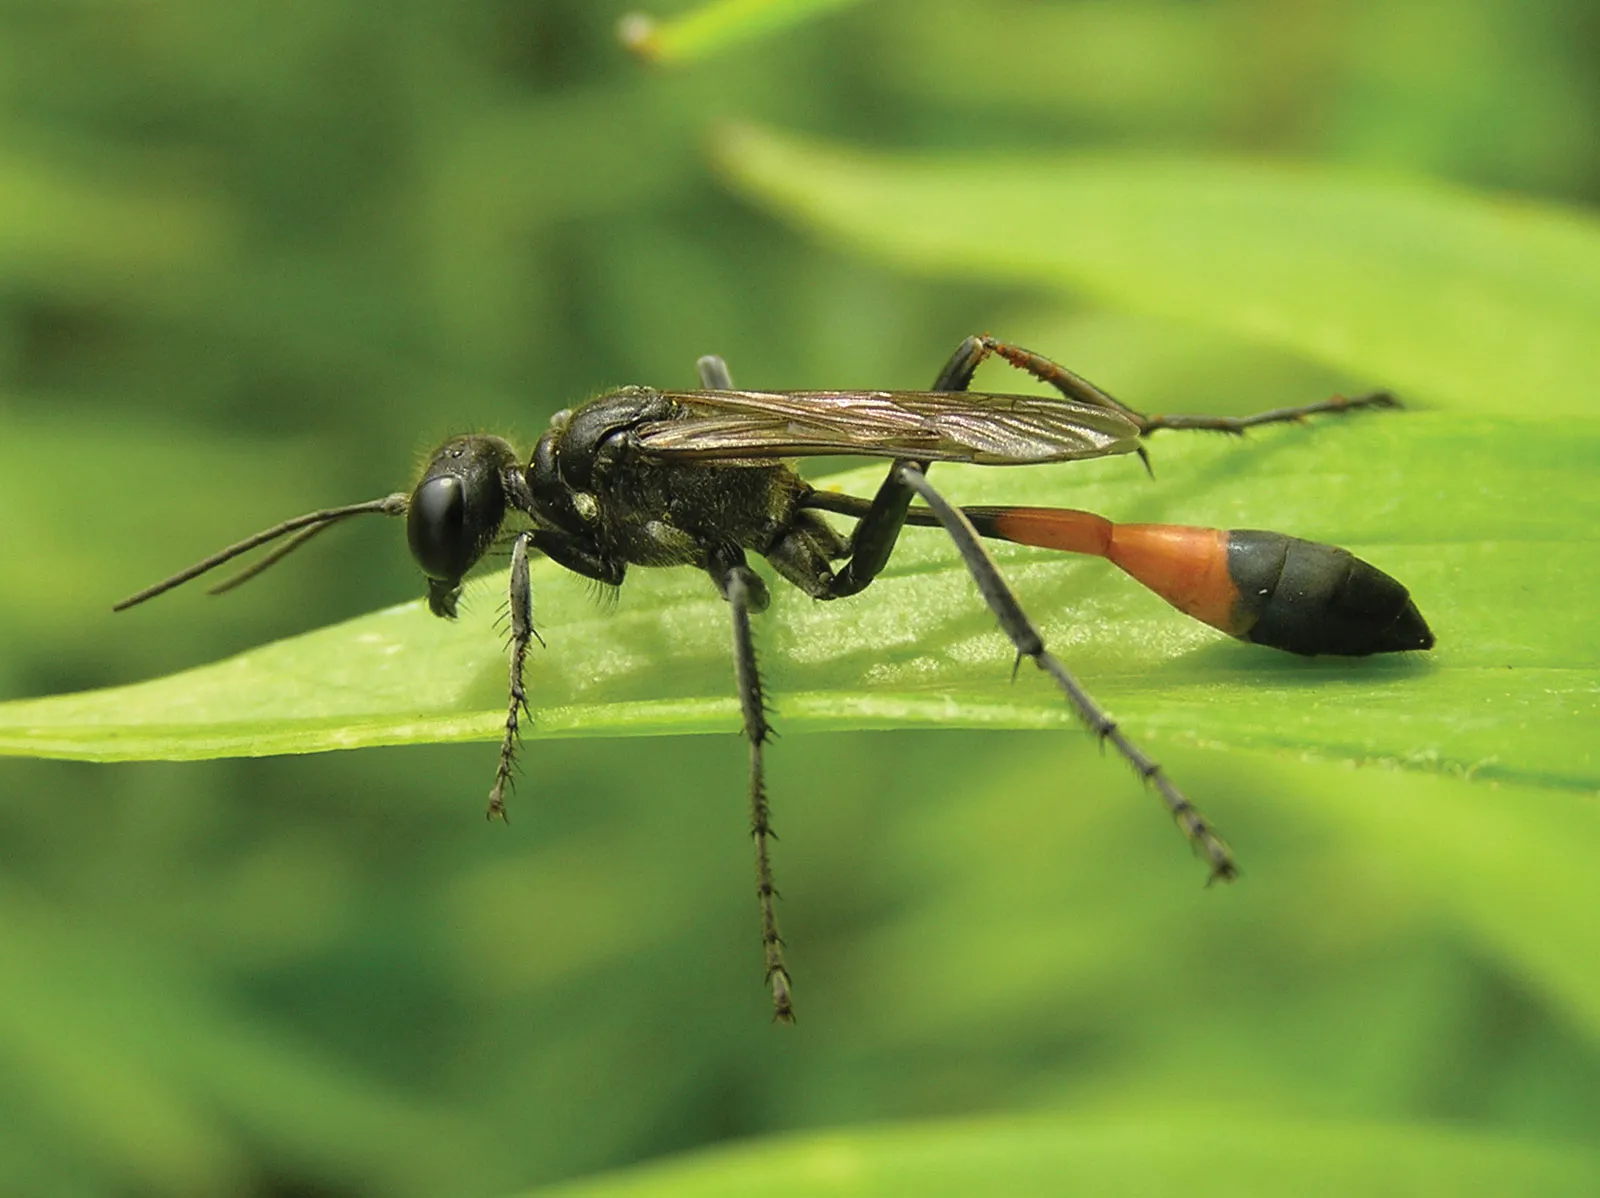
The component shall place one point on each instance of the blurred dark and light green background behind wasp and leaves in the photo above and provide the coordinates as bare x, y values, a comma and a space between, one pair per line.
258, 257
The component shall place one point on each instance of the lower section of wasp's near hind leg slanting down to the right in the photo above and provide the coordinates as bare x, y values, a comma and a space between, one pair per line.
1030, 644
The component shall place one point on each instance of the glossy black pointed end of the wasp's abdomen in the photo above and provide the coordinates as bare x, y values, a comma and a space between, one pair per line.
1306, 597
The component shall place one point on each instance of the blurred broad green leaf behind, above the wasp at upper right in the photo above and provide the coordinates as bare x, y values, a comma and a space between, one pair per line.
1466, 300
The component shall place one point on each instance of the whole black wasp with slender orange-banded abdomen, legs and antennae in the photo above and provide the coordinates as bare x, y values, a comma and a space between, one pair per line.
644, 477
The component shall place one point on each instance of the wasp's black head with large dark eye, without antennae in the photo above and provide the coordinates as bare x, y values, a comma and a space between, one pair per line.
458, 506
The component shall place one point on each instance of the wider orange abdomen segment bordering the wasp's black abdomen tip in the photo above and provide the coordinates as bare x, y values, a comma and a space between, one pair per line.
1186, 567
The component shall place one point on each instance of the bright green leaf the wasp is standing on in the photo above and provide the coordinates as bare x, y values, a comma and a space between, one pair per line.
1511, 692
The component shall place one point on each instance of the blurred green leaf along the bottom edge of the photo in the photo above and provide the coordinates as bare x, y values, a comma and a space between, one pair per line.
1193, 1154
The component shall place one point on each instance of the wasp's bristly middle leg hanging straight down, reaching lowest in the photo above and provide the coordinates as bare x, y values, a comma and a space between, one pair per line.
746, 593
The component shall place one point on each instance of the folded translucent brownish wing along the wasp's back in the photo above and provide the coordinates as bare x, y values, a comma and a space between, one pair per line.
921, 425
